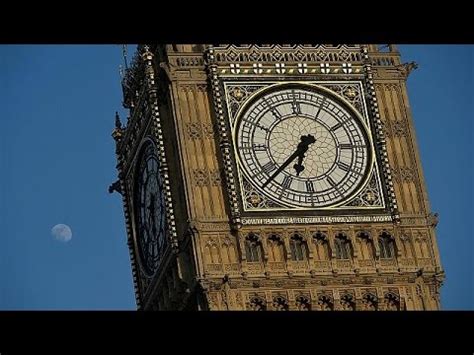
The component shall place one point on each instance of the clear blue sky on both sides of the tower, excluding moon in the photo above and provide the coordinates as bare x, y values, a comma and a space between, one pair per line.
57, 160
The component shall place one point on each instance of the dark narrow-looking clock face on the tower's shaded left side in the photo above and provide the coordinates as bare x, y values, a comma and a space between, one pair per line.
151, 219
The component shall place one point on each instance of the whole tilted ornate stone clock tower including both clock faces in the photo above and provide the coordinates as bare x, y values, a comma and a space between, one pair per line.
274, 177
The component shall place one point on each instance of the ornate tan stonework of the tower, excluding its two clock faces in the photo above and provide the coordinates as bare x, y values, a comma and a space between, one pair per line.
222, 257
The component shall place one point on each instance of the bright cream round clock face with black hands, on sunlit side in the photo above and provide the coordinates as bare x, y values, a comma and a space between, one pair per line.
302, 147
